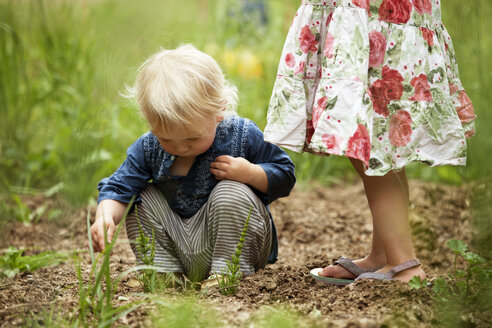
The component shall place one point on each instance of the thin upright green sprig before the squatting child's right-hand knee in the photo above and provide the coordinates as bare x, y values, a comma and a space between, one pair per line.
230, 277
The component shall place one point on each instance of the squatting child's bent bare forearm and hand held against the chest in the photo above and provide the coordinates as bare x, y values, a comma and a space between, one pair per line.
241, 170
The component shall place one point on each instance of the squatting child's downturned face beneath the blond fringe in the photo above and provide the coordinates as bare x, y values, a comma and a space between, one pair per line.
189, 141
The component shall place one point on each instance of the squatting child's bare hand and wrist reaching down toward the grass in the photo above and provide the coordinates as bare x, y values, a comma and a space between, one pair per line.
108, 214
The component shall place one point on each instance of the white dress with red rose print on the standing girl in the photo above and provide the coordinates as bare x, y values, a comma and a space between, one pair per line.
375, 80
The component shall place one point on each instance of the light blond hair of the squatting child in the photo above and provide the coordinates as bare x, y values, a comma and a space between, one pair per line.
180, 87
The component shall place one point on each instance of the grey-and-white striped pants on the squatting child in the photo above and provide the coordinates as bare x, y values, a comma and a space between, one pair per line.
199, 246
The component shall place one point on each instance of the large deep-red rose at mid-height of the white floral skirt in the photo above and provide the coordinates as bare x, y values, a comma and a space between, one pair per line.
390, 87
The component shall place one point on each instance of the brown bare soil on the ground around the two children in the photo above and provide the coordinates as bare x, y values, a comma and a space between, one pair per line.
314, 226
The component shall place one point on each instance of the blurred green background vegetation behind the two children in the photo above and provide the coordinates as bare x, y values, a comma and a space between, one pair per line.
64, 63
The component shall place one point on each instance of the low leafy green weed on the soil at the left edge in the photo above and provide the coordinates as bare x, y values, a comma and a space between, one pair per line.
14, 262
